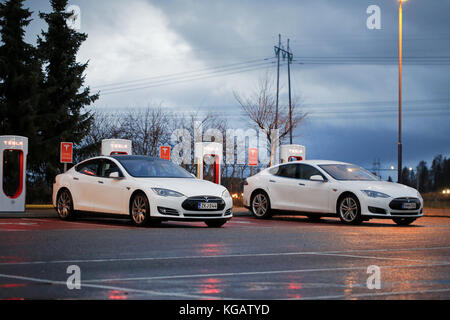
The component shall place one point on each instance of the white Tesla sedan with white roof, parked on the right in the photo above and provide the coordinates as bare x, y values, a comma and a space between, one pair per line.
329, 188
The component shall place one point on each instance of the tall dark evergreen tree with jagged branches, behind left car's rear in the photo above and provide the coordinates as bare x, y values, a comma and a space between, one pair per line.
61, 115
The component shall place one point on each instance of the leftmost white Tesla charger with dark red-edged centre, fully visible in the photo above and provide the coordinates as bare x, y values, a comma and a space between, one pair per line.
13, 160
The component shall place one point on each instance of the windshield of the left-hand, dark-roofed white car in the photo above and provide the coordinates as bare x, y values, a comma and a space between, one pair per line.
147, 167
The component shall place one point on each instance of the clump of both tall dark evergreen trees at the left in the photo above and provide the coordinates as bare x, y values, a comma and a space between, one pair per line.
42, 92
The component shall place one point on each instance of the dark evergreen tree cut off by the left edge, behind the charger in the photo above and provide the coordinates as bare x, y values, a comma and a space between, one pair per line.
20, 74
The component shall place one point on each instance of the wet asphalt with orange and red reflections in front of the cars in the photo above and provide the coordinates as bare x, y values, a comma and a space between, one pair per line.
283, 258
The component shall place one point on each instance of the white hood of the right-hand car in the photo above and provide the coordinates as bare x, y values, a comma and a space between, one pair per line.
395, 190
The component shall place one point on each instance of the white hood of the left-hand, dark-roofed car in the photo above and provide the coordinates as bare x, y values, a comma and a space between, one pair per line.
189, 187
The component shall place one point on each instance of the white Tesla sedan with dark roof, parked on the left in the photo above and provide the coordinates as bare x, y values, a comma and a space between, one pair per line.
148, 189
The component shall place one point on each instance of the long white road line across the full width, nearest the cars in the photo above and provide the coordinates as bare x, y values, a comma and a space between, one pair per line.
226, 256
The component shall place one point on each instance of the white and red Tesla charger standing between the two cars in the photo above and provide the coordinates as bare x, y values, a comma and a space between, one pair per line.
208, 153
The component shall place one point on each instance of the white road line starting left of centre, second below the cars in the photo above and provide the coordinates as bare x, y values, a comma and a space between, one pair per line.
251, 273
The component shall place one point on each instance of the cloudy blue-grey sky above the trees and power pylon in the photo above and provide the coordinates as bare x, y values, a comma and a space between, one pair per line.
346, 74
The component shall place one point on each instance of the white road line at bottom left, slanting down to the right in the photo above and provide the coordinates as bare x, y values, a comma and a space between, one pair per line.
83, 285
